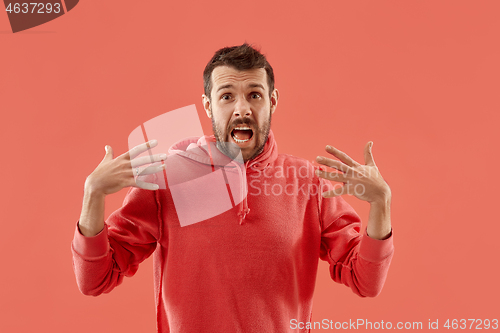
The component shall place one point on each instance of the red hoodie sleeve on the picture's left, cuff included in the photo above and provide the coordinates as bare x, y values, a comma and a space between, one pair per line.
128, 238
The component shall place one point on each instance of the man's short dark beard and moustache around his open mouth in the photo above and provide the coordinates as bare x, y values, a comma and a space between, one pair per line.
232, 150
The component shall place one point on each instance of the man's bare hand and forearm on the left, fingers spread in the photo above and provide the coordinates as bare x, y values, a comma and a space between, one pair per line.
112, 175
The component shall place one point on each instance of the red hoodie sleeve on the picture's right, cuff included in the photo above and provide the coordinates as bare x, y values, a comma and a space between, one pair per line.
356, 260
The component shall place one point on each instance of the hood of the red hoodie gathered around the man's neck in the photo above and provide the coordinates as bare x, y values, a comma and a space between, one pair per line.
204, 150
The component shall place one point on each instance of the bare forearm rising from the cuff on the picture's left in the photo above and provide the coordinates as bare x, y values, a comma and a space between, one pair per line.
92, 216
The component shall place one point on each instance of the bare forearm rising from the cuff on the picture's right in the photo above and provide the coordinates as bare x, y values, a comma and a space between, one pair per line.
379, 219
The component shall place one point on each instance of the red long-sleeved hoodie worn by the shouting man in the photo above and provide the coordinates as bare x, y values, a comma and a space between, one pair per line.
251, 268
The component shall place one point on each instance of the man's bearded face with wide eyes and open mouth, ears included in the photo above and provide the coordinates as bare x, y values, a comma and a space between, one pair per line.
240, 109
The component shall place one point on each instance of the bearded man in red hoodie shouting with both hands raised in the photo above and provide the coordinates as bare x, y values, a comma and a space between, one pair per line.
253, 267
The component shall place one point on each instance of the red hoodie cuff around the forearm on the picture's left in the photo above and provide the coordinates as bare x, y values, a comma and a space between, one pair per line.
91, 247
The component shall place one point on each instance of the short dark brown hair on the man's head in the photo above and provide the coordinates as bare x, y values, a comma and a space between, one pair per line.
242, 57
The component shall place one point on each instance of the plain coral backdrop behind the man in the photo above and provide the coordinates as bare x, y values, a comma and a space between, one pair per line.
420, 79
